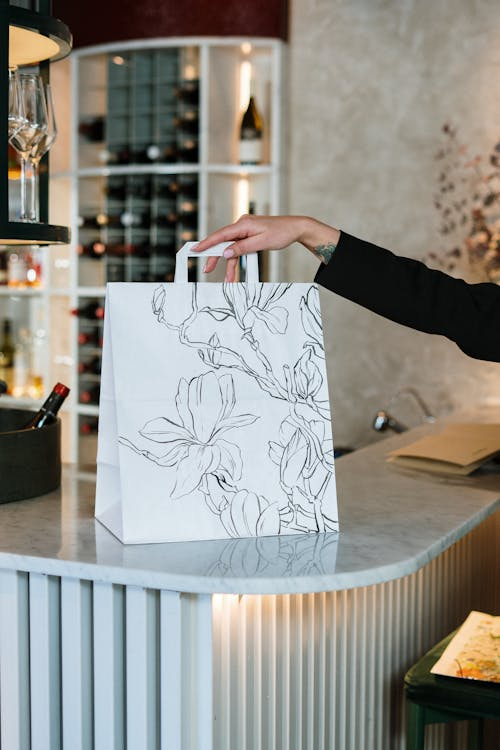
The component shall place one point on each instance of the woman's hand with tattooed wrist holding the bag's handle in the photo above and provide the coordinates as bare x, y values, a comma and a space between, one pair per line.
251, 234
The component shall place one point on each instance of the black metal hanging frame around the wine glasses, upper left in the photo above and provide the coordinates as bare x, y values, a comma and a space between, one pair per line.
23, 232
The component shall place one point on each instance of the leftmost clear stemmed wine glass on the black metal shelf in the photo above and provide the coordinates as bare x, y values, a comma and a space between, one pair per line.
33, 110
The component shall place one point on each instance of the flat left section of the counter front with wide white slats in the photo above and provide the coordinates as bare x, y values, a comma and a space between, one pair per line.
94, 665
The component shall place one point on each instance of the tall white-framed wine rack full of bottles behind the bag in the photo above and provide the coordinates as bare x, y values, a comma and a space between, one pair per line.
154, 164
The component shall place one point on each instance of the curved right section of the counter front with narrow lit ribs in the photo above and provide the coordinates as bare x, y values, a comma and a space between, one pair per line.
274, 656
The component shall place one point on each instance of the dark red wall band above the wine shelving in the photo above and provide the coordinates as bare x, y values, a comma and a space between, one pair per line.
102, 21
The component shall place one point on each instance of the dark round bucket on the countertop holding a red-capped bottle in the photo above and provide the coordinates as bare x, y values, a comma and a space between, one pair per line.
30, 460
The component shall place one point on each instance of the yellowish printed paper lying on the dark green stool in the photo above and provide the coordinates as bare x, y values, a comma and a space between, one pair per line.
474, 652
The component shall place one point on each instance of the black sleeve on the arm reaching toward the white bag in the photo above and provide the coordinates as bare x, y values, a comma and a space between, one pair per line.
406, 291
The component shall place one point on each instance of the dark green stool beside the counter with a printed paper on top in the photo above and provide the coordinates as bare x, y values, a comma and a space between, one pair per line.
434, 699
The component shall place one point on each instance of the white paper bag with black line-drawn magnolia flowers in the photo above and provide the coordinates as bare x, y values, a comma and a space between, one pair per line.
214, 417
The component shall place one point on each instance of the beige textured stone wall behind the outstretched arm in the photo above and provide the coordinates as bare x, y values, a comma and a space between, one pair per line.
371, 84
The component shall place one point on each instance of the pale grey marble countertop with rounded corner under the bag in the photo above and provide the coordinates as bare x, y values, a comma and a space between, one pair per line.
392, 522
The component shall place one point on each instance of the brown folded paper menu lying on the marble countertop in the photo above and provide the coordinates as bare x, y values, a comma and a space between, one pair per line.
457, 449
